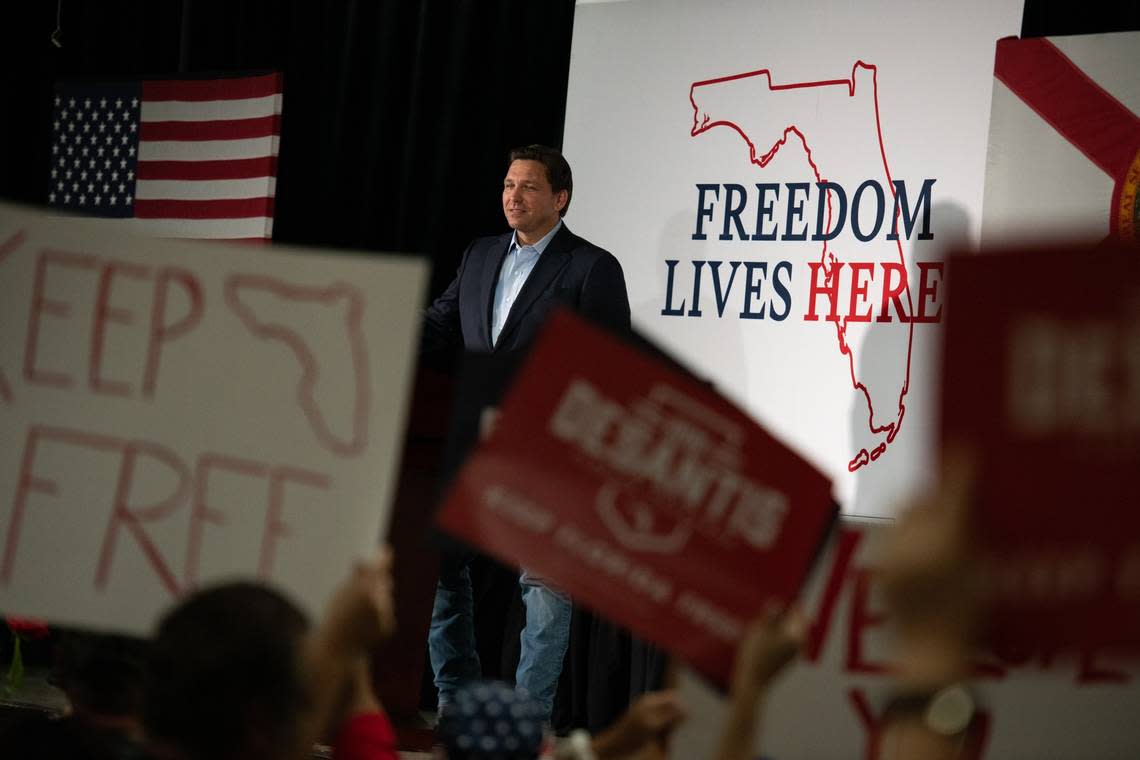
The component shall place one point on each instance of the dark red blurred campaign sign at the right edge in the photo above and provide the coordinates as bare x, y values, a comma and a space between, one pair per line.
1043, 382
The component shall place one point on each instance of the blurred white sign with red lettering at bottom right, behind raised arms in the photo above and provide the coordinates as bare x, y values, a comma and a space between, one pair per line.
829, 705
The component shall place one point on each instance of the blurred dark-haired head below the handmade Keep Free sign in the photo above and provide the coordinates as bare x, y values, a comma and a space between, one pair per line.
224, 674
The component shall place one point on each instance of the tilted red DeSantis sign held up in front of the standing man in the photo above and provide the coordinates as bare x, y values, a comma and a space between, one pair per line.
642, 494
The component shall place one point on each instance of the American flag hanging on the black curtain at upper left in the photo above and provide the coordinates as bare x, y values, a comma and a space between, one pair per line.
191, 159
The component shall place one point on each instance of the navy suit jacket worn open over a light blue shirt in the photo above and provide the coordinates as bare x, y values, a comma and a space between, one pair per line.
571, 272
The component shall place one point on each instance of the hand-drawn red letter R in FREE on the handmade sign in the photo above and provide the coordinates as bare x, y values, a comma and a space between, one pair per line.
134, 518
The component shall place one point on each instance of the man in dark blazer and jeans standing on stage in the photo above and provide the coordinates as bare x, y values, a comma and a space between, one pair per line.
504, 290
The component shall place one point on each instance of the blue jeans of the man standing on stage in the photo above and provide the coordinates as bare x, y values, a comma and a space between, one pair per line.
452, 638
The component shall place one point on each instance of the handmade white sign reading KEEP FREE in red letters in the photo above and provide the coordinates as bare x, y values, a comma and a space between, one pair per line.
181, 413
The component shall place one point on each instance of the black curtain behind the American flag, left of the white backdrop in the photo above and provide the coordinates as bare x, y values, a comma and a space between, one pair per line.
397, 115
